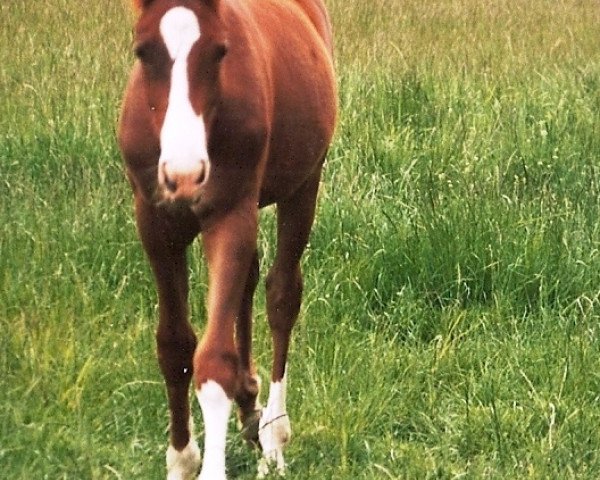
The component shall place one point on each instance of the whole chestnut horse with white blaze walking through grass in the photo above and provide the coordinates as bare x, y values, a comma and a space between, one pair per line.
230, 107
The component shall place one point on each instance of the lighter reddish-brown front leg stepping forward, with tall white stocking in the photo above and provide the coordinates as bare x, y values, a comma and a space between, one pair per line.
229, 247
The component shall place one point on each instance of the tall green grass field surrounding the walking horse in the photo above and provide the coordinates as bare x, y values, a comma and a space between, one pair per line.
452, 300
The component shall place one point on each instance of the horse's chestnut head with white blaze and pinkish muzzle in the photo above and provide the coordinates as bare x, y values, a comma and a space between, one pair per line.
180, 46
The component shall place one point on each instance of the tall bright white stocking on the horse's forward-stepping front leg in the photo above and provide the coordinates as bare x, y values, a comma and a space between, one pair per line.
216, 407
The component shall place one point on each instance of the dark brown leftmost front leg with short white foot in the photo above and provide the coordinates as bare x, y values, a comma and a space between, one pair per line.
175, 338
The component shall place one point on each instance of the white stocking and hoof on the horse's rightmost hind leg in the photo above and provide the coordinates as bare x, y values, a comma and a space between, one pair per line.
274, 428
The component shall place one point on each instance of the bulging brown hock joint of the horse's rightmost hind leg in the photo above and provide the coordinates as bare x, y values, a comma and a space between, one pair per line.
284, 295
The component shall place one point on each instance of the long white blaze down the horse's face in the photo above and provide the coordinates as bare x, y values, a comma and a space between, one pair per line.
183, 134
